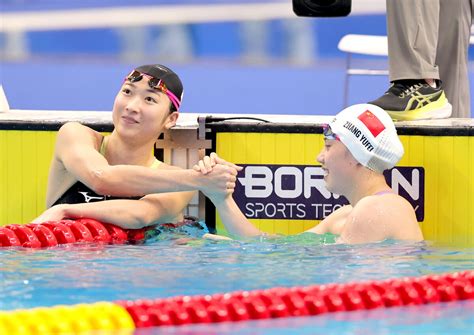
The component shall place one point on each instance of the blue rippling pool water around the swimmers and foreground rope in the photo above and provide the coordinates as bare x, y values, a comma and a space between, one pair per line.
181, 263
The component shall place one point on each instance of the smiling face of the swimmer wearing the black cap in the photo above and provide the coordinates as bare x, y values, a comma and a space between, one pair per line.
142, 111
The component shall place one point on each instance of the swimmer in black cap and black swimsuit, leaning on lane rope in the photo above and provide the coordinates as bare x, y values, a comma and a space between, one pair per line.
89, 168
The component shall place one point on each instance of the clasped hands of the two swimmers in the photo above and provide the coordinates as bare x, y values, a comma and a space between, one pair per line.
218, 177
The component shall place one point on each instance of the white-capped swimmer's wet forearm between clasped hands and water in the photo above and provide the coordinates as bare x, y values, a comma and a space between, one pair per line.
234, 220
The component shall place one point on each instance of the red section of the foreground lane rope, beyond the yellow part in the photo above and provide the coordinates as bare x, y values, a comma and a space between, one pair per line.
300, 301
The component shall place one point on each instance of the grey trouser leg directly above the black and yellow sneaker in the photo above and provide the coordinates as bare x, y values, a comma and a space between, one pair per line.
412, 28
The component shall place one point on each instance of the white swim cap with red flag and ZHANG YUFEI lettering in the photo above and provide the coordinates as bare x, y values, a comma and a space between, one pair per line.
369, 134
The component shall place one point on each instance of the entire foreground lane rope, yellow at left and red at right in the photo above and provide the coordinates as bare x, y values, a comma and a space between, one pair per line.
237, 306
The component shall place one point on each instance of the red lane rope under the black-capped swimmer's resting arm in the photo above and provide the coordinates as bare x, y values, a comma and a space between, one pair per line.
53, 233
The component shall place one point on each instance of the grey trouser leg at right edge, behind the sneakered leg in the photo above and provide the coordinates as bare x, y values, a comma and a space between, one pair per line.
453, 42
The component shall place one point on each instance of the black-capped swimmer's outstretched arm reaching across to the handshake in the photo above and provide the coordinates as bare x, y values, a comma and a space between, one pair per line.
76, 150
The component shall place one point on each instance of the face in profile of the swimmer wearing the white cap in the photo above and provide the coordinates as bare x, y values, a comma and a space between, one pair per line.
338, 165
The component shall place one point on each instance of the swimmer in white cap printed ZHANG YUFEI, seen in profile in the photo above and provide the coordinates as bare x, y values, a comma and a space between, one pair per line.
359, 144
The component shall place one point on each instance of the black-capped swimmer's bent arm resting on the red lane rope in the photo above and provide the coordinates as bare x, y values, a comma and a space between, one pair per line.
132, 214
